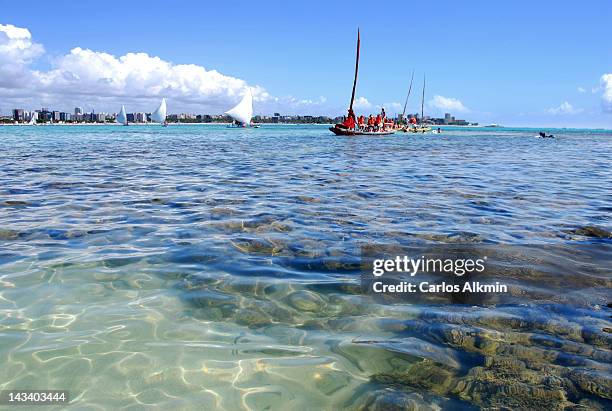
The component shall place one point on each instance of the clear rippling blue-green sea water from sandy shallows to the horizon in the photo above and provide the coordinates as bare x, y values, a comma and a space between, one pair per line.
199, 267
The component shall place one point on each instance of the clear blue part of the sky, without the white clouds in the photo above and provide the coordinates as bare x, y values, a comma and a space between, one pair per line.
512, 62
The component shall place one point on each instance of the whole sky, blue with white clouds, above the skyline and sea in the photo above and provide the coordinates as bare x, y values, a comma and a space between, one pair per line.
521, 71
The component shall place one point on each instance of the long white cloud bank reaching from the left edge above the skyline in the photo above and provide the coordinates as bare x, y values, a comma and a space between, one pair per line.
87, 78
